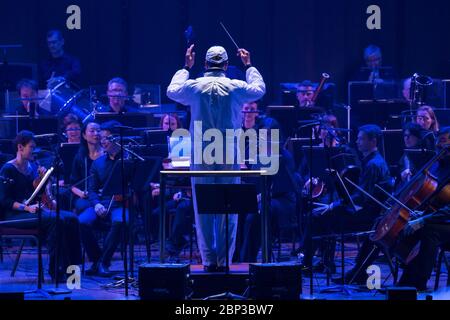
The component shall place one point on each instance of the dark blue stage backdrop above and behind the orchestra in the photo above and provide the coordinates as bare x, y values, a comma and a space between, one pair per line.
143, 41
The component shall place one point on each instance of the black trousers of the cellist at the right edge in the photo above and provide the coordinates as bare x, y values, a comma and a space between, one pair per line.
419, 270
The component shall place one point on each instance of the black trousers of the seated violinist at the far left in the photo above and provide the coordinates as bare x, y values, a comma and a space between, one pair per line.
67, 239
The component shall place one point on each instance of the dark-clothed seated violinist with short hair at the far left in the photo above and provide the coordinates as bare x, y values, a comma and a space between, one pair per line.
22, 175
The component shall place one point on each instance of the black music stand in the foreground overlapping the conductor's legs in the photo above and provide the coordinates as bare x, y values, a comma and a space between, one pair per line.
226, 199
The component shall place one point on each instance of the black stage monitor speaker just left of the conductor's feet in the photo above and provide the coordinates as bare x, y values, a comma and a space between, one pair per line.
164, 281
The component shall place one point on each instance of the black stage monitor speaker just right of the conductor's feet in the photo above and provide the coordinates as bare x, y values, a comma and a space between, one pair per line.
275, 281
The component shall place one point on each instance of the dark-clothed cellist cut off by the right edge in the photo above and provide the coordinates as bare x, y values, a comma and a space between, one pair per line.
432, 229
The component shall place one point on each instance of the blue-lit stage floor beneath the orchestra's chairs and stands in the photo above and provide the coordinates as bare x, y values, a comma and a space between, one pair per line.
96, 288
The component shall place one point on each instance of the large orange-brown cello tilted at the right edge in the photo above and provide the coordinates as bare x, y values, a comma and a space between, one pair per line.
419, 195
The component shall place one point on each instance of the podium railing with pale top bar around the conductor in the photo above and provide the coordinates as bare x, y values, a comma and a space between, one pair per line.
165, 174
